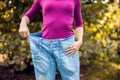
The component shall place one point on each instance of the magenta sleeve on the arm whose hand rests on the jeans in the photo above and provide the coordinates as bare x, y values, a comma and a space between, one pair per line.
78, 22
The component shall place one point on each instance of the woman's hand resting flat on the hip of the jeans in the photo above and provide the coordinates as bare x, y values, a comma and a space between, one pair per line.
74, 48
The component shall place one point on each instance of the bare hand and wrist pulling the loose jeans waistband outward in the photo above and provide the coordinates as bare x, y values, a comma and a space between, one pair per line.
23, 30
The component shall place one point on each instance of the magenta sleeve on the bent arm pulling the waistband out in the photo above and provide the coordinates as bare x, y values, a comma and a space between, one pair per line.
34, 10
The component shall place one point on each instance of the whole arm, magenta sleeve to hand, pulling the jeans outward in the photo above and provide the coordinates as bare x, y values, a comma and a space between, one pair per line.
28, 17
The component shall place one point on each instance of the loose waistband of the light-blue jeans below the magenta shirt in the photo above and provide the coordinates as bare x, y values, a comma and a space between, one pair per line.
39, 36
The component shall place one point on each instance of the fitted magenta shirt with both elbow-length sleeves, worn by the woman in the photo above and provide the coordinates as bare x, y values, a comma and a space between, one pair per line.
58, 17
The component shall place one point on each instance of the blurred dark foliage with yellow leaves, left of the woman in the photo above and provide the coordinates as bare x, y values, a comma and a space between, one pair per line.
14, 50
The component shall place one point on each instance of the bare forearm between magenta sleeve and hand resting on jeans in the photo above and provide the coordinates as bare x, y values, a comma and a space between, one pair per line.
79, 34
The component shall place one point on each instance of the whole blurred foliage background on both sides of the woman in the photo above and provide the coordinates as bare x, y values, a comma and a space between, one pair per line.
99, 54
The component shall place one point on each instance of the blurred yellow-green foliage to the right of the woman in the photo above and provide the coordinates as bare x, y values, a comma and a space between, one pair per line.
101, 41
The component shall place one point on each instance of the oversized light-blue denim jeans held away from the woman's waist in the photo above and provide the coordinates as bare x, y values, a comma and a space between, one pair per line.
49, 54
